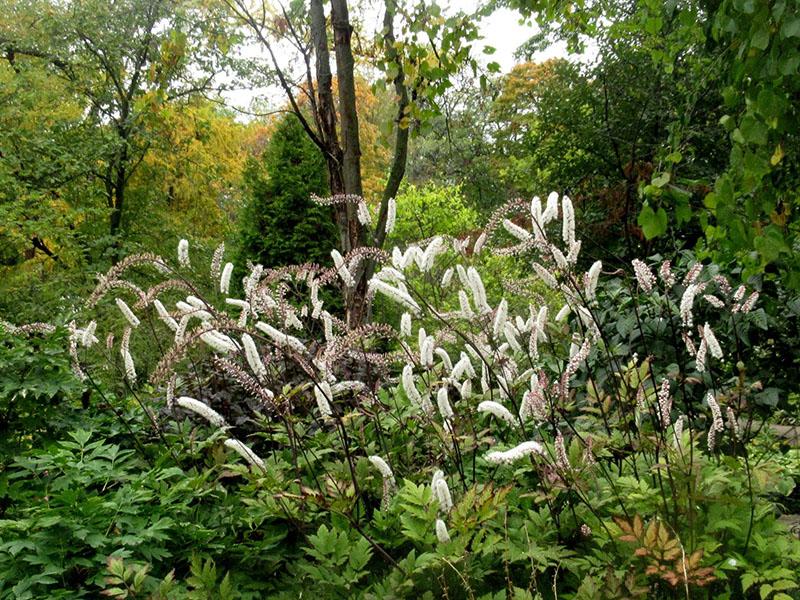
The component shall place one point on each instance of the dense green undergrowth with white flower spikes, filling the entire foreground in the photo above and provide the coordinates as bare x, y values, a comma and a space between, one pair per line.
514, 423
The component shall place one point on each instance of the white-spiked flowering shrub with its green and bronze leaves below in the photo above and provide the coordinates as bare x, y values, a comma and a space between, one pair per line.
594, 442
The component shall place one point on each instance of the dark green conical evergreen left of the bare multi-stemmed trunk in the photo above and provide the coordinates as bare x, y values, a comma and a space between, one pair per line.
280, 225
